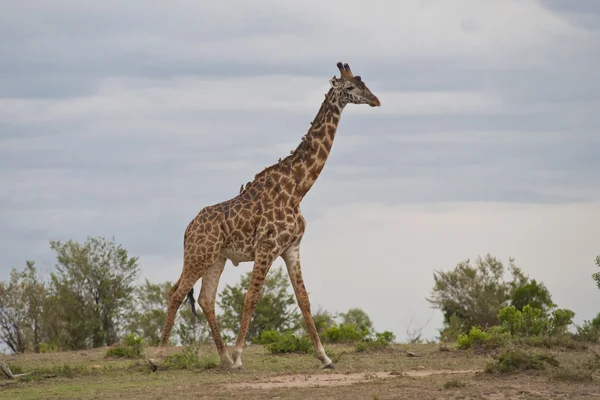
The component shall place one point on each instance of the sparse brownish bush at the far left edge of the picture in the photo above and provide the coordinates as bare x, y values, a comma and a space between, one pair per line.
21, 310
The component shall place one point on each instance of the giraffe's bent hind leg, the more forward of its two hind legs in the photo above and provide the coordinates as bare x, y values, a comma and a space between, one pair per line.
207, 299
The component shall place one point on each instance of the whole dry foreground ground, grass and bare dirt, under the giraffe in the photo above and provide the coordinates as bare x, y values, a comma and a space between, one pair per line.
388, 375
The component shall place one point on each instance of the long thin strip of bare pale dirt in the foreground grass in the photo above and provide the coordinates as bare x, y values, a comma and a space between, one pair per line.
335, 379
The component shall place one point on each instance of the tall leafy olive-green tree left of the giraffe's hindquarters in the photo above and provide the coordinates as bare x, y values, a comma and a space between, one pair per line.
92, 287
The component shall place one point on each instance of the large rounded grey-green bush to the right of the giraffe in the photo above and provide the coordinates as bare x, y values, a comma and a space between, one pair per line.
473, 295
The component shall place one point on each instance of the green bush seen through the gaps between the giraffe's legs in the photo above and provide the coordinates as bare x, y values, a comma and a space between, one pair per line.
275, 309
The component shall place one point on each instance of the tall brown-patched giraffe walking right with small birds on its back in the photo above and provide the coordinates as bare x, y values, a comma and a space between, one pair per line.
261, 223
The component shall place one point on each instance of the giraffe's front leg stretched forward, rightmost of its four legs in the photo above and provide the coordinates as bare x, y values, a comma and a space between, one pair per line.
292, 262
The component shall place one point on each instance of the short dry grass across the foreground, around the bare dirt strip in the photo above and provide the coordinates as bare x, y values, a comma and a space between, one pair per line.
195, 373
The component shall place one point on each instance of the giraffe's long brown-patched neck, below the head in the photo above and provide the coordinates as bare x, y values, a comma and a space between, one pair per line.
308, 159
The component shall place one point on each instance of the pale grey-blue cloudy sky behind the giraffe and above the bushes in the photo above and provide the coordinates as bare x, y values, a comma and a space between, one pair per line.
126, 118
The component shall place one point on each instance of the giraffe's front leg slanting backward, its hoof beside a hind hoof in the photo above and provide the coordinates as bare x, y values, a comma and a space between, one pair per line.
262, 263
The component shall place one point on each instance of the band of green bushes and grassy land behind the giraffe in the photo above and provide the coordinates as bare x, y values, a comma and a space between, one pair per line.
88, 326
